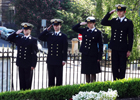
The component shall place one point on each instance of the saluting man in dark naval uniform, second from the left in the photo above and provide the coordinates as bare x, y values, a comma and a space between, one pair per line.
57, 51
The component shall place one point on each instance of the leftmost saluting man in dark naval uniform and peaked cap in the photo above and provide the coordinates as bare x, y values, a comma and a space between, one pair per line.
26, 54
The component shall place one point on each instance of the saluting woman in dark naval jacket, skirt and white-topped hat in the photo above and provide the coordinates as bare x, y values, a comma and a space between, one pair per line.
91, 48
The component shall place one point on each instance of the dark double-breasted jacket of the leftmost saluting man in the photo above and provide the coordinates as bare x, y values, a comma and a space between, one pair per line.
26, 50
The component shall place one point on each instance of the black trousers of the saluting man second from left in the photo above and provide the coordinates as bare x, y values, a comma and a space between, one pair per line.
55, 71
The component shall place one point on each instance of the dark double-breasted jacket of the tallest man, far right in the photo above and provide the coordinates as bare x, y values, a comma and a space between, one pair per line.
121, 33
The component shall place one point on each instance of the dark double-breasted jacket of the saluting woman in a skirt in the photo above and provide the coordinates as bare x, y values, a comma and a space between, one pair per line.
92, 44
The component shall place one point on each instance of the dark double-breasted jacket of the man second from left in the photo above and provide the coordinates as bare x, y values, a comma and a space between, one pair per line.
57, 47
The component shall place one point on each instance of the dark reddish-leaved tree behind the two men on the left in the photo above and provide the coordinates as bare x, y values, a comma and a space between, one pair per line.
33, 11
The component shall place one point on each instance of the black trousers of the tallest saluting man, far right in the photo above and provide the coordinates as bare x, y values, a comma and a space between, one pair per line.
119, 64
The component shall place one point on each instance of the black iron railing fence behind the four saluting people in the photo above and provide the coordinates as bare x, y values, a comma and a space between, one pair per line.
9, 79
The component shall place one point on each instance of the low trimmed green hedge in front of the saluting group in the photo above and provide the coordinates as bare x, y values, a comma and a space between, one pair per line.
125, 87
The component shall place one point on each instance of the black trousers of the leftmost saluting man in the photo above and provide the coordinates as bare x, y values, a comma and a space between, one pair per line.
25, 78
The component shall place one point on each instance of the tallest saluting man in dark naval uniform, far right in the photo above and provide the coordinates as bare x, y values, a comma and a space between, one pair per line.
121, 40
